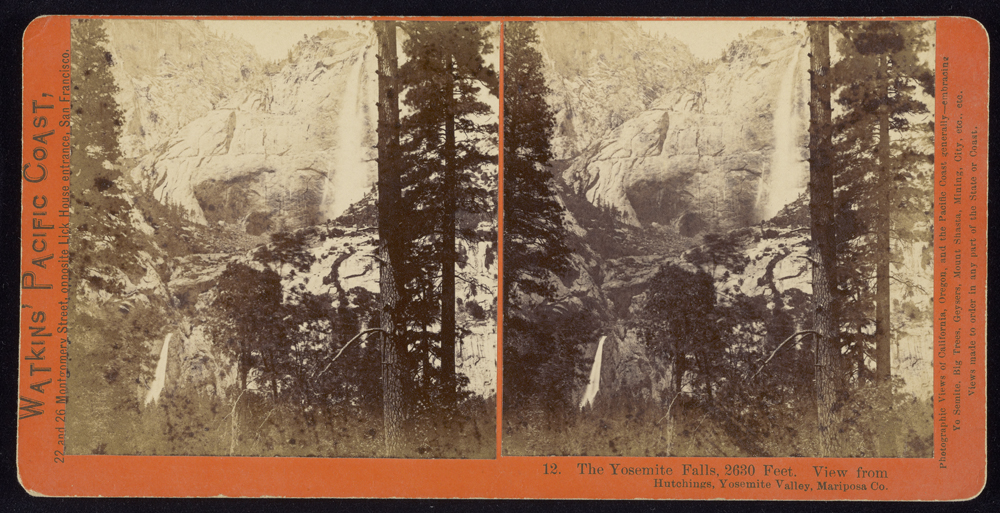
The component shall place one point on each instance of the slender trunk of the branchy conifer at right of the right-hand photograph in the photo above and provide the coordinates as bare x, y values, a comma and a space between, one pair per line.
883, 362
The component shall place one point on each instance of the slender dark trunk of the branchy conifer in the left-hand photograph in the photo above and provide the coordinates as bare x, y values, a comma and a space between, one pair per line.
448, 380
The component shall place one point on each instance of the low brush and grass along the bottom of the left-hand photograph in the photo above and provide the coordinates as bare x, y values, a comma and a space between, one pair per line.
186, 421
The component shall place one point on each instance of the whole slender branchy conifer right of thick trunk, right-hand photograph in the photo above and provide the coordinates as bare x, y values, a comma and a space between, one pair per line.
878, 78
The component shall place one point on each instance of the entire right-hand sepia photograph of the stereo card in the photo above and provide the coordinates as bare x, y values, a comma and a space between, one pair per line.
718, 238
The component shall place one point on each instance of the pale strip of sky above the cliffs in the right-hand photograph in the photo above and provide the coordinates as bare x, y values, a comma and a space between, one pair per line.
707, 39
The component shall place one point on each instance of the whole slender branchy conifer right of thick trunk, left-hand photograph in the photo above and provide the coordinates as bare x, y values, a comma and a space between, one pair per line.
448, 142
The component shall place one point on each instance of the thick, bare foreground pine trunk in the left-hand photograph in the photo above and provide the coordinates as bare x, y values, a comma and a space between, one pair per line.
389, 244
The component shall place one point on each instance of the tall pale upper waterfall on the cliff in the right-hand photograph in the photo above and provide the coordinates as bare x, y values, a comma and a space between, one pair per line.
784, 181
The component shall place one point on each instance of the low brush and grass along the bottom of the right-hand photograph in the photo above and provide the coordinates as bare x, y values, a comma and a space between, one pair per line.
636, 428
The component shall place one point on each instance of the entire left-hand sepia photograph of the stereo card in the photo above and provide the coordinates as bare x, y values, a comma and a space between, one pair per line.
283, 238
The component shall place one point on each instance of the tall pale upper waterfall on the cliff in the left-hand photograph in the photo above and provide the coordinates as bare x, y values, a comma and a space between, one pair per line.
350, 176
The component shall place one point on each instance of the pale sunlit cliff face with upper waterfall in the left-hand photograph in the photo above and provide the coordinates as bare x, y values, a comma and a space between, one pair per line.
265, 147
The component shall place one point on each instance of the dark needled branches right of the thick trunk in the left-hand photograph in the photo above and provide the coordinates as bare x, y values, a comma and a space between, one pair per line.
449, 184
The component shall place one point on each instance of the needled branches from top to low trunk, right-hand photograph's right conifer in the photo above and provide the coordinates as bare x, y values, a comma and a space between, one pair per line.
883, 187
